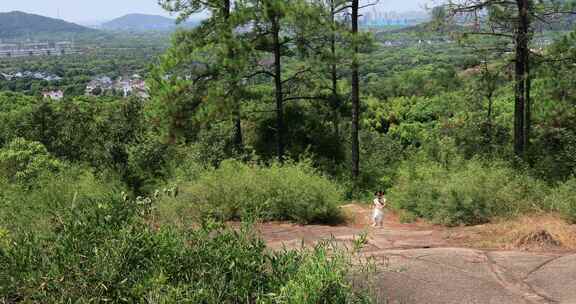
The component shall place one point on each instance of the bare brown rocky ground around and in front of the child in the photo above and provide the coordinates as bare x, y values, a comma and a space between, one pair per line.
418, 264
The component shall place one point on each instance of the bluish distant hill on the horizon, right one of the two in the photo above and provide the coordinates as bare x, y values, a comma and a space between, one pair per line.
141, 22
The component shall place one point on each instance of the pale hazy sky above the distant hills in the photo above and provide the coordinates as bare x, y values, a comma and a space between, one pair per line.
98, 10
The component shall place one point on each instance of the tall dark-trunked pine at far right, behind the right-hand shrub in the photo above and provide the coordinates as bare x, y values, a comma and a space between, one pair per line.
517, 21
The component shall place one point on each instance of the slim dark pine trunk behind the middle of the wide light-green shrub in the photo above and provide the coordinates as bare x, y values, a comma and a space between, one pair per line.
278, 87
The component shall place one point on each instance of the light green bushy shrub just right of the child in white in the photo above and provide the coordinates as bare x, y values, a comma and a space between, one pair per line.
465, 192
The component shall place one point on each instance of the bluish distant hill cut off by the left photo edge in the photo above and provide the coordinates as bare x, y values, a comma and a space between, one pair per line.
15, 24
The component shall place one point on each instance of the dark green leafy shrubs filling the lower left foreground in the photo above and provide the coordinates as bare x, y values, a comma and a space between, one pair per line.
105, 251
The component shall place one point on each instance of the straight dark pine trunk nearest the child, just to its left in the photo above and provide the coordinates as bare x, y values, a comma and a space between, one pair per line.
355, 95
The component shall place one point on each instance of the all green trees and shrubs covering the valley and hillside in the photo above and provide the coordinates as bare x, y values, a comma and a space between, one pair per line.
275, 110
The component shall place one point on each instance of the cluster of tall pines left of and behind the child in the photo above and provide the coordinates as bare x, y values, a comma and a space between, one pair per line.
306, 51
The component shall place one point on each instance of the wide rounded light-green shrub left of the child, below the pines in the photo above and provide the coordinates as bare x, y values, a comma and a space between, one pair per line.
293, 191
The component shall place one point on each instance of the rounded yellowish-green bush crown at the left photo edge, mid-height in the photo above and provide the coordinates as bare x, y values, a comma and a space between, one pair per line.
22, 161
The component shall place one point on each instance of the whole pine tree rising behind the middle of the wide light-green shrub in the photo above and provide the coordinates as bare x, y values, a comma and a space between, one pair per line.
277, 35
